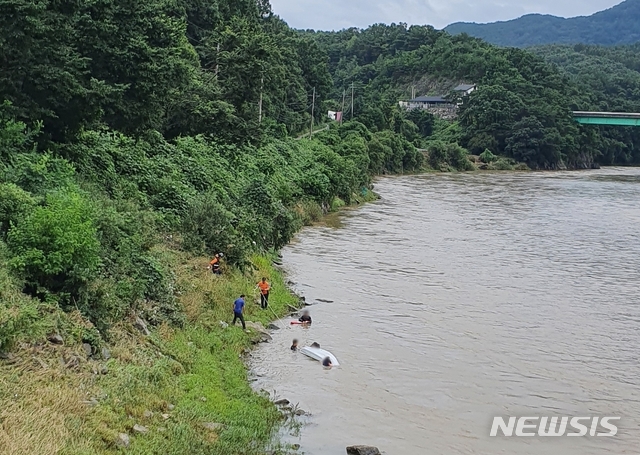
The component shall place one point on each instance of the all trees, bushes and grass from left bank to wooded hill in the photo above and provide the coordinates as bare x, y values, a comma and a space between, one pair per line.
138, 138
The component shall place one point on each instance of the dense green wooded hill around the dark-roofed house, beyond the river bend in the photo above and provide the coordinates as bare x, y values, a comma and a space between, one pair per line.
522, 109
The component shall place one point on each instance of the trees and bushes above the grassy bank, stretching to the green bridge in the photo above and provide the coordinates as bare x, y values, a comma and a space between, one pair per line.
125, 124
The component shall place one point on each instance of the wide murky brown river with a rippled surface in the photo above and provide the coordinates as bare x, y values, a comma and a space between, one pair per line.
457, 298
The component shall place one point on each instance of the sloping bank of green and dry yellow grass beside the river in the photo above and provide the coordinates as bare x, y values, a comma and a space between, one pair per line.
187, 386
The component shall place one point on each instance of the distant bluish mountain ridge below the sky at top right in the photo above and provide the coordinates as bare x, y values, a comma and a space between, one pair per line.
617, 25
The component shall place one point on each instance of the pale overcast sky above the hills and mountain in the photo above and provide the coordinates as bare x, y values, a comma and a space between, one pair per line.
339, 14
